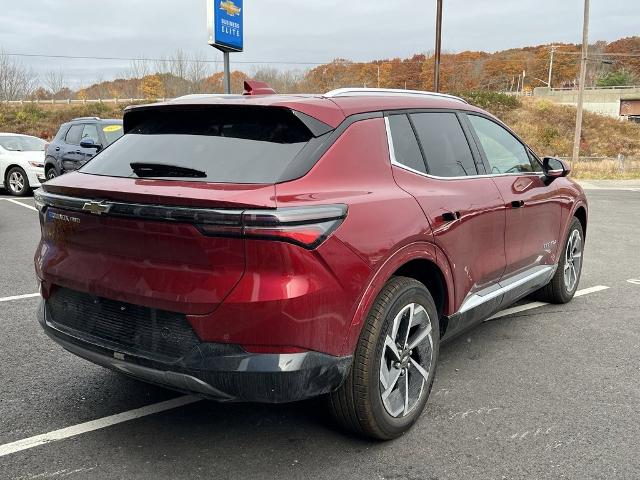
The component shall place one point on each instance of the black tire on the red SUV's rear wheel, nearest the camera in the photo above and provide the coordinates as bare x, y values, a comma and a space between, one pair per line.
357, 404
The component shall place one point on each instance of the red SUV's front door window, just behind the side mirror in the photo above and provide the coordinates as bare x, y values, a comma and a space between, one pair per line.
504, 152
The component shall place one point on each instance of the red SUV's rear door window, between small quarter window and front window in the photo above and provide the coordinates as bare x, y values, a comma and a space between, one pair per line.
444, 144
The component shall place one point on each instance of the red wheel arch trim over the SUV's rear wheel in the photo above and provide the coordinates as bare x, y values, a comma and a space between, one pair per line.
419, 261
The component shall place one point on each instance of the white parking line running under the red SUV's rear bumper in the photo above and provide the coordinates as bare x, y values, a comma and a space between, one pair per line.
61, 434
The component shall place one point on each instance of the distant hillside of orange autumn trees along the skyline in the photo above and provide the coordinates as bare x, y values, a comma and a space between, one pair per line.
181, 73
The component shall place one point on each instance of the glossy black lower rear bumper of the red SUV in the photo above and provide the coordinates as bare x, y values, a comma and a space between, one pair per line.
217, 371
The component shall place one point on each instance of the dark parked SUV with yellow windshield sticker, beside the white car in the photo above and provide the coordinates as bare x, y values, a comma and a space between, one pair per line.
78, 141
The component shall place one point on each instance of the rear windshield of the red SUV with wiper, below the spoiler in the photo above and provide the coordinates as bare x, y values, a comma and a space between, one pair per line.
214, 144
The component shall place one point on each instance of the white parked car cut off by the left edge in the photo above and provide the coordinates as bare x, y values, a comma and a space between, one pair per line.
21, 163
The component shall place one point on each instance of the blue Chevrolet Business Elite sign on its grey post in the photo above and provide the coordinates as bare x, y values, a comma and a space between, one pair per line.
225, 31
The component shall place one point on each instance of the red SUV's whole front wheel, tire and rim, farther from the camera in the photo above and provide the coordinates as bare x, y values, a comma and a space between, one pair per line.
564, 283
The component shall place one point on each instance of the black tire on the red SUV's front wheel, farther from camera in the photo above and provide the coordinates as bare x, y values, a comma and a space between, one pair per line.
557, 290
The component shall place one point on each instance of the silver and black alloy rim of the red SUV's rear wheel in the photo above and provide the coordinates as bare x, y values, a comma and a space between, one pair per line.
406, 360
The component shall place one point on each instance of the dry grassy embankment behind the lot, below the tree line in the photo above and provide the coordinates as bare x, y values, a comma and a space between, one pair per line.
547, 127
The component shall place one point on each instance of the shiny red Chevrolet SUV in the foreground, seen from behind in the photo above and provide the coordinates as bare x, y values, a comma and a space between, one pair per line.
274, 248
